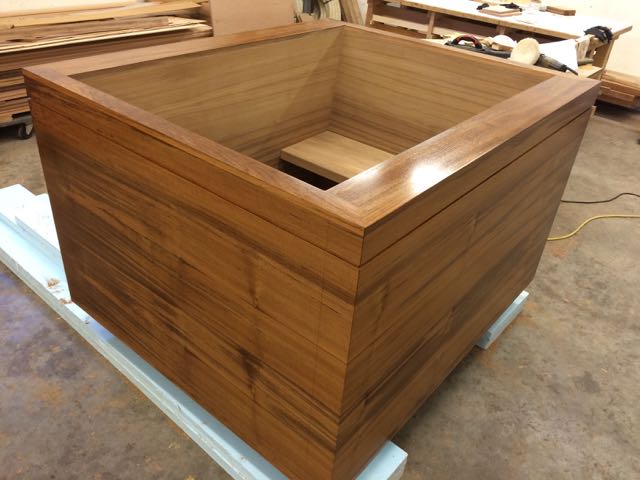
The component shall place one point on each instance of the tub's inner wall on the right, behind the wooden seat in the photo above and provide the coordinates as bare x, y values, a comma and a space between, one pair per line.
394, 97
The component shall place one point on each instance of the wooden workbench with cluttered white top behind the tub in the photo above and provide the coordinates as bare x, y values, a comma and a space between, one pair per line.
422, 17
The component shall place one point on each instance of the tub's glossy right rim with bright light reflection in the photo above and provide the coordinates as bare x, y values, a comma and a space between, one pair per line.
399, 195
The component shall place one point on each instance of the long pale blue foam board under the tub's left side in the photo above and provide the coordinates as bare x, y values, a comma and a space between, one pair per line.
29, 247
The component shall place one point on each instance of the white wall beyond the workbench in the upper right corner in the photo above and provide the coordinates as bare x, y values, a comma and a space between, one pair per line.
625, 56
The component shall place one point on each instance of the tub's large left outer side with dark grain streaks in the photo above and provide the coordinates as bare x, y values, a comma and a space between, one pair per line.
250, 320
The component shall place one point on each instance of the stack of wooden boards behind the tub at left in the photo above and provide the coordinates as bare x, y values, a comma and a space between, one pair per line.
32, 37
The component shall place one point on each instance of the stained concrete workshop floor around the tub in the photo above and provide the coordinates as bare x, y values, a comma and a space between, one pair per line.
557, 396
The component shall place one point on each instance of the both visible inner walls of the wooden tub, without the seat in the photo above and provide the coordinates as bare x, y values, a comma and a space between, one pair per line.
365, 85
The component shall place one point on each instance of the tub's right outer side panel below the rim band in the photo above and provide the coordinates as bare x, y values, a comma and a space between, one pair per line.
423, 303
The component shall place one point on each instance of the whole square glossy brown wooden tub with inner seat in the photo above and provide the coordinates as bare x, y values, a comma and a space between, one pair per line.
211, 215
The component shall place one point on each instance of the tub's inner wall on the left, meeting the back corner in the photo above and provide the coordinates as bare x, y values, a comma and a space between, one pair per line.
255, 98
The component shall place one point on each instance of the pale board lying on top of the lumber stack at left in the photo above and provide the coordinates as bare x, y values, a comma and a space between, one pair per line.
138, 9
